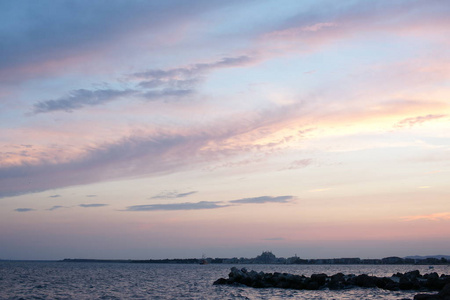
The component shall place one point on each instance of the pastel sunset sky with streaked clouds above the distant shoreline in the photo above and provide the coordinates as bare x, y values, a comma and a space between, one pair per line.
172, 129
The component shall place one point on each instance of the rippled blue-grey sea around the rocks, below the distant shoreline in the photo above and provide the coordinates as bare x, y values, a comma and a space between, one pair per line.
93, 280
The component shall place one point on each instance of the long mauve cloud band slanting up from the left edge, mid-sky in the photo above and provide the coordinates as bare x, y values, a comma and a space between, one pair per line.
147, 153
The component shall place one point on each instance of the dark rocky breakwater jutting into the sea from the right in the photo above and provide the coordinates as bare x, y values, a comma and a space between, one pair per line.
408, 281
